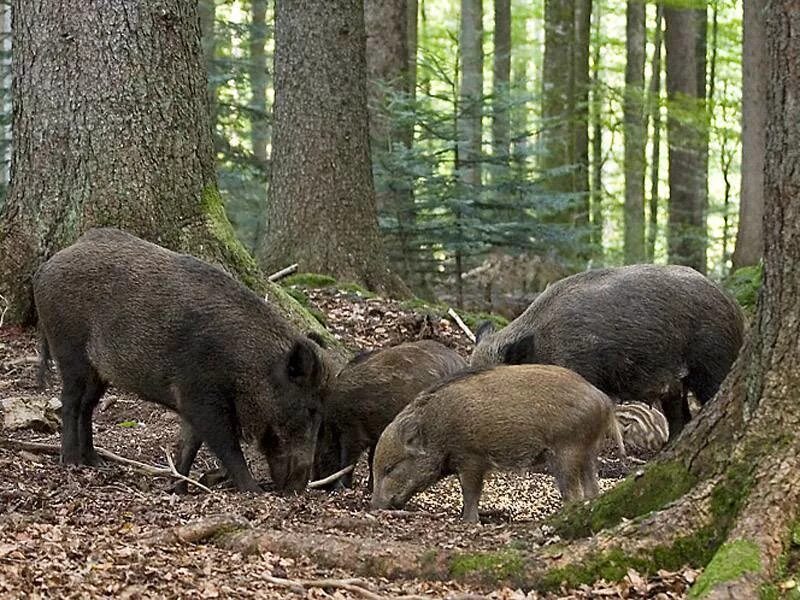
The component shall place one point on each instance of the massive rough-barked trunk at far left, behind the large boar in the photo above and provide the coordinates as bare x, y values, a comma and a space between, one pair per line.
111, 131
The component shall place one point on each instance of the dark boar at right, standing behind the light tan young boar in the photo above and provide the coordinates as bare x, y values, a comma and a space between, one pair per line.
643, 332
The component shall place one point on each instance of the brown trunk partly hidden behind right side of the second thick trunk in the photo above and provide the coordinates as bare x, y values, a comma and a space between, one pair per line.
387, 82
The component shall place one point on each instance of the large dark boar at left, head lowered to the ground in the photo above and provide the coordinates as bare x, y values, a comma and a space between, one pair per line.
175, 330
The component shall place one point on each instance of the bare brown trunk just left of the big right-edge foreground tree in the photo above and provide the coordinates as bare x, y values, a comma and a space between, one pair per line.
754, 118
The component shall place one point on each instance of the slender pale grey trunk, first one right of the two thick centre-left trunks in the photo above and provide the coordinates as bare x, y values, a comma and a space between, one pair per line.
470, 95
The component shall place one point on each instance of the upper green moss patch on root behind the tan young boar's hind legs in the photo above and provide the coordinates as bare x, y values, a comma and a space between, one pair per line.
660, 484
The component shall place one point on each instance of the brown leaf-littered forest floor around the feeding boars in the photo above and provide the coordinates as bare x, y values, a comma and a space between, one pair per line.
84, 532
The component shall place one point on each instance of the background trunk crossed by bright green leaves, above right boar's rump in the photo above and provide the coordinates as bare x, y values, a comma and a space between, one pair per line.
687, 227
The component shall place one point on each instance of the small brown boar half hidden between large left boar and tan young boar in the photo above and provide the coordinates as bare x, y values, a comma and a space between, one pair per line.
369, 392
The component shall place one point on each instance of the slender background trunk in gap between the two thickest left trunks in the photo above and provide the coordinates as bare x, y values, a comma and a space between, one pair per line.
259, 121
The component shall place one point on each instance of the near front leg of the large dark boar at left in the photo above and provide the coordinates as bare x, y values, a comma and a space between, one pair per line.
215, 424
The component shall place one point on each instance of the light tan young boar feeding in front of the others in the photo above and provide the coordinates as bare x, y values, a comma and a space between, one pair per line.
508, 417
